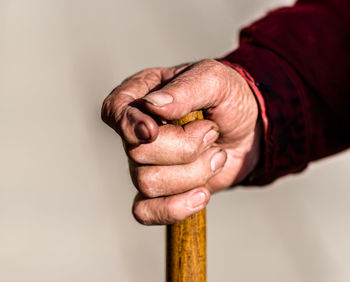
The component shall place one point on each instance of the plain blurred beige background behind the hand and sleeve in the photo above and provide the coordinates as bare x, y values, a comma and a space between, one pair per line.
65, 194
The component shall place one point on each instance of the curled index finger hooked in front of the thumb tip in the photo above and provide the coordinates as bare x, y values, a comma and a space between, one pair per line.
122, 110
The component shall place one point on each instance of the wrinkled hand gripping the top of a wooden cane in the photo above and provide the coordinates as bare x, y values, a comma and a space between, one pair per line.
176, 168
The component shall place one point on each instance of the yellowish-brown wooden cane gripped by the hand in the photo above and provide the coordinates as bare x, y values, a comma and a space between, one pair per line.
186, 240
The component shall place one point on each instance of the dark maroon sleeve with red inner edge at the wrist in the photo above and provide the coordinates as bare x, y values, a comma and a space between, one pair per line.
299, 58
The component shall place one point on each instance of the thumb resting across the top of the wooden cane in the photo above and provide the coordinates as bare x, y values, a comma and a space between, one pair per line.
202, 86
